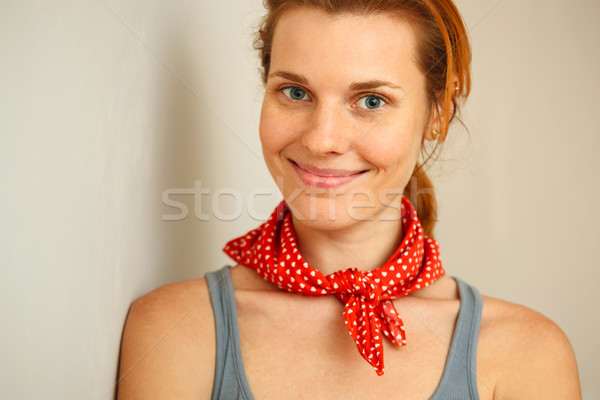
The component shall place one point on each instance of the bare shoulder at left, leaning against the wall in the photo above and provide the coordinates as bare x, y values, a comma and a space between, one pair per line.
168, 347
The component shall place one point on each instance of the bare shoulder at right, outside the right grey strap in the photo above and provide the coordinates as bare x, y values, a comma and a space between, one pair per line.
531, 355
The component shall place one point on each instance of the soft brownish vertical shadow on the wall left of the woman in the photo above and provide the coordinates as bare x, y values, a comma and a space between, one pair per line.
182, 154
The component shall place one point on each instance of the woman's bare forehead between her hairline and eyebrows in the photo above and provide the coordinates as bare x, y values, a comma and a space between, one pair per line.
345, 46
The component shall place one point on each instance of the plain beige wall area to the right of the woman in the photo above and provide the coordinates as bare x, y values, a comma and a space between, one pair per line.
519, 207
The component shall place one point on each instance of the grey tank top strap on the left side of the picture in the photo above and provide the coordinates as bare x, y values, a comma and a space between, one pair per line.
230, 379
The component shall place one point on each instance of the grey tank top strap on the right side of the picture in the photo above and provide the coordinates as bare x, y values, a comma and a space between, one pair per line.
459, 380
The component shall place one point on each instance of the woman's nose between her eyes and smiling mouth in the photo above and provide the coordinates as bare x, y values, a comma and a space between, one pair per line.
327, 131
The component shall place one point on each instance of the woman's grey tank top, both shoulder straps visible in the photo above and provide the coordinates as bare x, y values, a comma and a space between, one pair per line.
458, 379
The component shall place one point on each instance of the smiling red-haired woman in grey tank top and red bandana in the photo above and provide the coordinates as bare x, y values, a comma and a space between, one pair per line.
342, 294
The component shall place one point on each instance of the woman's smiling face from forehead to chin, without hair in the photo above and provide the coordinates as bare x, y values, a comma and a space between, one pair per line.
343, 116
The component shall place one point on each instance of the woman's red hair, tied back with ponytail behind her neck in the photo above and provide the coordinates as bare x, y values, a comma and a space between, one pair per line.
444, 57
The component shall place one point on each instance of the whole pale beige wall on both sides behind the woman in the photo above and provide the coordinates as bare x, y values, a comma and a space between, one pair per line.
104, 105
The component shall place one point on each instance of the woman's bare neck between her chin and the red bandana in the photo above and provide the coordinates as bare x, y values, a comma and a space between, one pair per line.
365, 246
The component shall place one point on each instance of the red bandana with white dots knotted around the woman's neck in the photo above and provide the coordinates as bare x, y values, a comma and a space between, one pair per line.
271, 250
